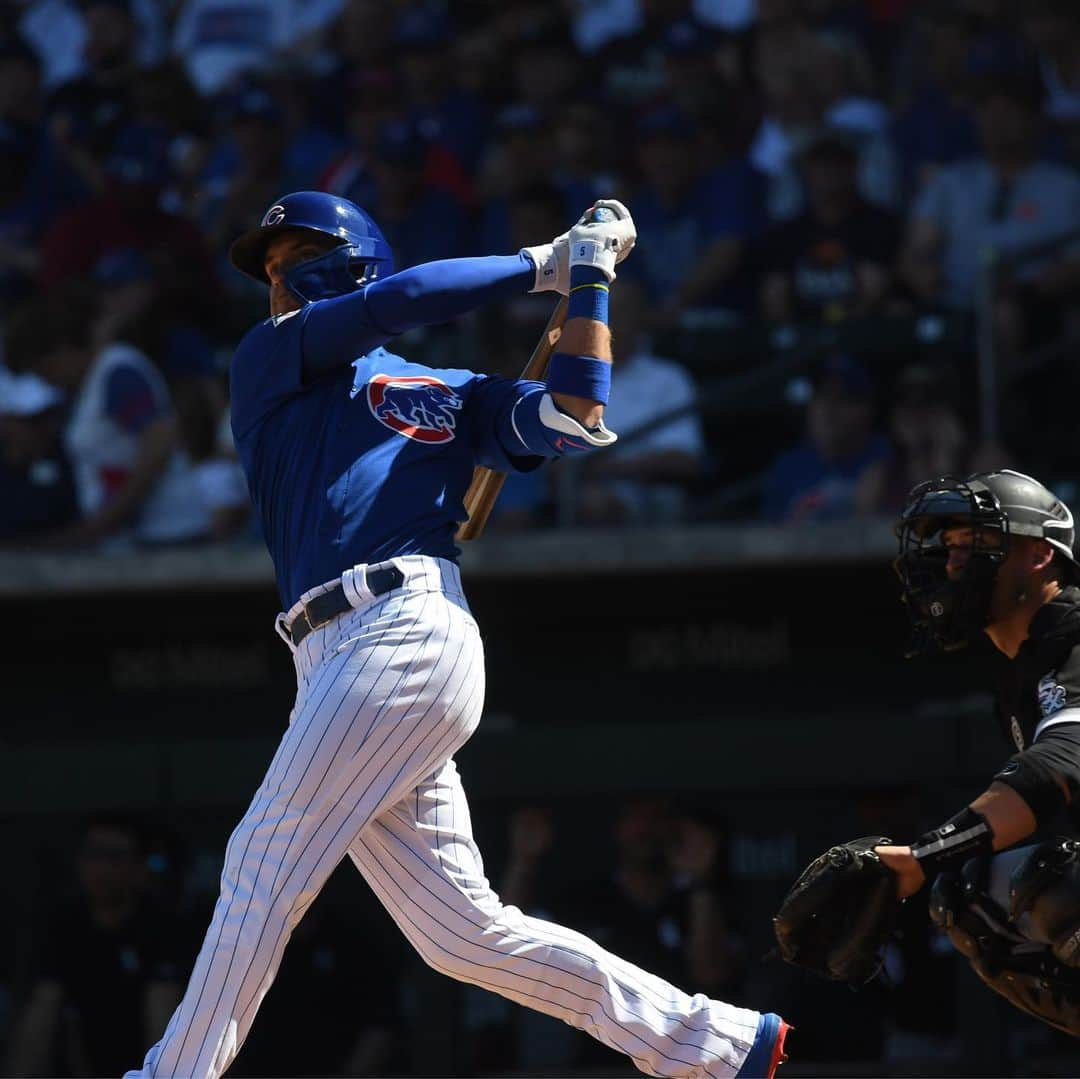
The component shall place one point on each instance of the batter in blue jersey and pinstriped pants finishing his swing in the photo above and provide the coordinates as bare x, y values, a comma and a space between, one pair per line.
358, 462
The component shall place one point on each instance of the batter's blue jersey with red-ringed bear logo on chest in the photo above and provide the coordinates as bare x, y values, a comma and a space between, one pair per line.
362, 463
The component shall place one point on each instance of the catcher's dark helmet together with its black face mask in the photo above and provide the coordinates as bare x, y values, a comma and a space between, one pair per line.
950, 612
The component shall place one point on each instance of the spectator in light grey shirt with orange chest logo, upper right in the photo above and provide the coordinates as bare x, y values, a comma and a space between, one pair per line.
1004, 201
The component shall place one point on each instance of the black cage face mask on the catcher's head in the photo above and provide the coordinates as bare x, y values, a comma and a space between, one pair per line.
949, 613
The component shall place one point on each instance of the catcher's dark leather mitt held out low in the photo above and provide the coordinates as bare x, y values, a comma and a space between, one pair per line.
840, 914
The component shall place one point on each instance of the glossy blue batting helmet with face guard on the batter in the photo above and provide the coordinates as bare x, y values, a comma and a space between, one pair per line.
361, 252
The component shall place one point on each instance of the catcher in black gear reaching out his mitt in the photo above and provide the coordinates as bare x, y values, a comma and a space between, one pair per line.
988, 555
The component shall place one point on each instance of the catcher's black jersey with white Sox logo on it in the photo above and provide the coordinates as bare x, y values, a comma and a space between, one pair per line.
1038, 695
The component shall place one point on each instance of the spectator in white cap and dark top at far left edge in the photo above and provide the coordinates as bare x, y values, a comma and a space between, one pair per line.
37, 487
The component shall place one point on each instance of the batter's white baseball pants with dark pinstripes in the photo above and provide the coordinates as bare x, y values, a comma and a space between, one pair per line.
387, 694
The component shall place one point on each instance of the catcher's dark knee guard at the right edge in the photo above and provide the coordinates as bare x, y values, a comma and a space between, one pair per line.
1046, 887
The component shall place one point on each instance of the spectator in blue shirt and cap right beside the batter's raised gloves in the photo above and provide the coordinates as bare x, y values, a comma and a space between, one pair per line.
694, 226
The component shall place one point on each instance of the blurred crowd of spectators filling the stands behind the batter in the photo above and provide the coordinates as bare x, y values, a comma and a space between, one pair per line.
842, 171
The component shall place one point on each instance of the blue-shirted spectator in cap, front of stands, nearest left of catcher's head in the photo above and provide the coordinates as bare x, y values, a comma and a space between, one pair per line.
823, 479
